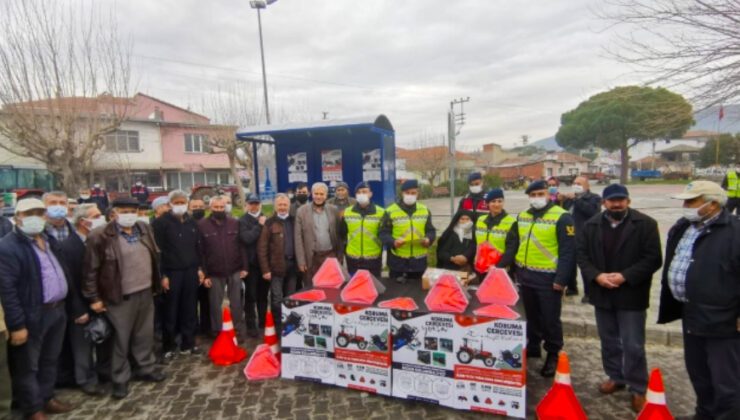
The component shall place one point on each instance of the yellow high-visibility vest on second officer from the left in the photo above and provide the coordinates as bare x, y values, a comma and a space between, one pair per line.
412, 229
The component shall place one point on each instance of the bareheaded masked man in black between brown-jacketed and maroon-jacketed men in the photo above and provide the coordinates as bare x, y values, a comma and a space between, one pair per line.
176, 234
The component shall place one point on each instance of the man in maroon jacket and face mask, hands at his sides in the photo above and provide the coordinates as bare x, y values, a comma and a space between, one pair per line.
224, 263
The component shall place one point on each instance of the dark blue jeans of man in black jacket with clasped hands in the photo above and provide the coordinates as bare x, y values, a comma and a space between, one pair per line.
622, 335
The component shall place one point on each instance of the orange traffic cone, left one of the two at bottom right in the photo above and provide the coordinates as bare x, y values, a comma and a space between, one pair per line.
560, 402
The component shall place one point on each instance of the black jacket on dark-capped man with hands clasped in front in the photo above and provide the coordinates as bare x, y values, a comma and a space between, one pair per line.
637, 256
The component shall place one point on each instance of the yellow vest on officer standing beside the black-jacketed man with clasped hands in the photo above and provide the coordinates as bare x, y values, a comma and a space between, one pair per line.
538, 240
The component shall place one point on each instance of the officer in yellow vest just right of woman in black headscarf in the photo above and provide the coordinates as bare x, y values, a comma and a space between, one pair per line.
498, 228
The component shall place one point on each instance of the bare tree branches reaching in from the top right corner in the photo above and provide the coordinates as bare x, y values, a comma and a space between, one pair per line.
692, 45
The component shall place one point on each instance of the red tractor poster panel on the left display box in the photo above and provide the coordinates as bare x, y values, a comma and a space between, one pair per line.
362, 350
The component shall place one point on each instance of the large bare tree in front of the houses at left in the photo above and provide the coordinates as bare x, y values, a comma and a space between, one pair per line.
64, 80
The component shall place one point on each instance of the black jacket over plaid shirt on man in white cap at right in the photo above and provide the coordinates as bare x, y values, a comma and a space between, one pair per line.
712, 280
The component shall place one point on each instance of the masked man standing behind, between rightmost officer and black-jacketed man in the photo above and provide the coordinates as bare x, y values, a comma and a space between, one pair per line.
582, 204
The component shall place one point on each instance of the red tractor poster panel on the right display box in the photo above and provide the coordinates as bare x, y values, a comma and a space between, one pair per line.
489, 366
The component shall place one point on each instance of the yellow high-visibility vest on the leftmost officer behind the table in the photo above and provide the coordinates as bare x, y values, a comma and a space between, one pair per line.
362, 236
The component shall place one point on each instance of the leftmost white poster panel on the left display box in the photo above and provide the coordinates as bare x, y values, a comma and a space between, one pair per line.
307, 342
